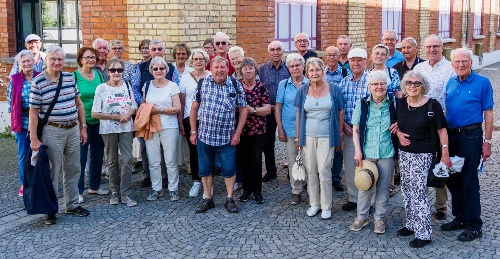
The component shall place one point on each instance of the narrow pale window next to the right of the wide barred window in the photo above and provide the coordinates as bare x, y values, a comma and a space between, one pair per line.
392, 11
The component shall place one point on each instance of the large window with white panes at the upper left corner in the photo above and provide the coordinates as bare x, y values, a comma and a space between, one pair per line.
57, 22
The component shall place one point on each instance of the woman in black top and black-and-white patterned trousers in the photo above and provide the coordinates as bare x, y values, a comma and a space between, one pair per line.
415, 154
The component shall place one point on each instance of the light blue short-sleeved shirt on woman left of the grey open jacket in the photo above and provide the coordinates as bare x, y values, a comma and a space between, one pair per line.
286, 96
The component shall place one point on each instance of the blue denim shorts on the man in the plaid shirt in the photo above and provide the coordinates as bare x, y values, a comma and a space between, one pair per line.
207, 155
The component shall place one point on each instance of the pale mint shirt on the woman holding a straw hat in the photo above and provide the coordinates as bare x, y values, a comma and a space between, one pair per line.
378, 142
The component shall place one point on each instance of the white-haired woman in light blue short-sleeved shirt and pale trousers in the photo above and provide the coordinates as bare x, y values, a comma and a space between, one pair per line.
285, 113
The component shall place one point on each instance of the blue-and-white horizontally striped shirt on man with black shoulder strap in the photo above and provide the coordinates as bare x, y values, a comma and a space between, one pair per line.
43, 91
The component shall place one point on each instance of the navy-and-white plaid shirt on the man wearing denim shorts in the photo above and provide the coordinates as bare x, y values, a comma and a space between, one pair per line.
217, 112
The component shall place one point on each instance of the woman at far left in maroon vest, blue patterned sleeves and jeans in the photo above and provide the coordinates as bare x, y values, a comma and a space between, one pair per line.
18, 93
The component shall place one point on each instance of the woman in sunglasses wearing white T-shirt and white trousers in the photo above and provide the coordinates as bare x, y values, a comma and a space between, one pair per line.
164, 94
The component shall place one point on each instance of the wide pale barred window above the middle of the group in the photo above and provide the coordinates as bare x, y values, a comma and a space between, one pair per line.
294, 17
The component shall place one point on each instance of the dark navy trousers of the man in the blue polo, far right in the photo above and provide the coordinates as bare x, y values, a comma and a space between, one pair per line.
464, 186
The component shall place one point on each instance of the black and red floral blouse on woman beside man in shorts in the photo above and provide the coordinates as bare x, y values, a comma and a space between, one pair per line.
256, 97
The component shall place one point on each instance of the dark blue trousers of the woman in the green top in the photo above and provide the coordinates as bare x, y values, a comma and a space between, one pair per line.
96, 144
